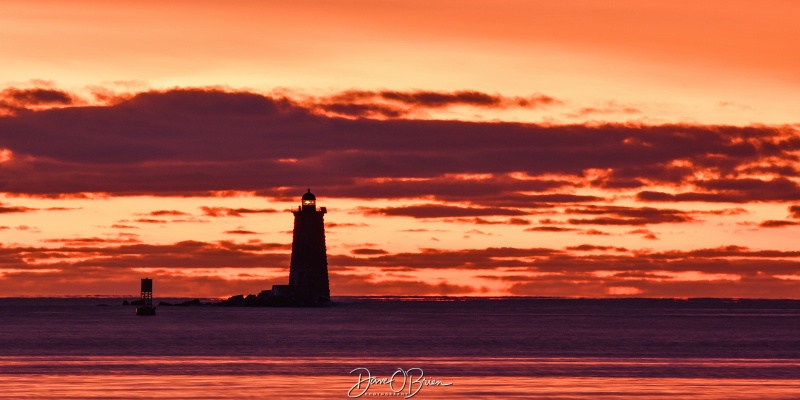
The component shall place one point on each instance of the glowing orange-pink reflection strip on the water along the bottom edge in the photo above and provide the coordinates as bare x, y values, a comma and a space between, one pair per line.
324, 378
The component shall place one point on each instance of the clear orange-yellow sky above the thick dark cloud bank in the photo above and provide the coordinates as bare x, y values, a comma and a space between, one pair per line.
711, 61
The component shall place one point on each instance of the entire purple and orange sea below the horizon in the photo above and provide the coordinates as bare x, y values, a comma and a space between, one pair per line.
422, 348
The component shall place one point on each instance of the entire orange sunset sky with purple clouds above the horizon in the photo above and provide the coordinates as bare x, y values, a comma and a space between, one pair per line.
572, 148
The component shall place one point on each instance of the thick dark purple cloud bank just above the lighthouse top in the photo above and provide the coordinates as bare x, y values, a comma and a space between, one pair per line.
193, 140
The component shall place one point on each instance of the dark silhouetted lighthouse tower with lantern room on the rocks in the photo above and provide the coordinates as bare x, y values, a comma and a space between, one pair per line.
308, 272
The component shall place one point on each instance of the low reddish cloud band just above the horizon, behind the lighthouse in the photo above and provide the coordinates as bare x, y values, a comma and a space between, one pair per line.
590, 270
